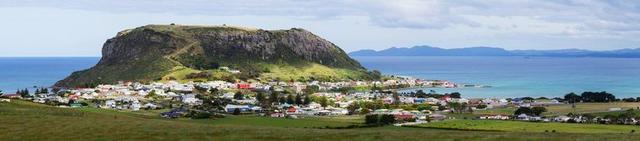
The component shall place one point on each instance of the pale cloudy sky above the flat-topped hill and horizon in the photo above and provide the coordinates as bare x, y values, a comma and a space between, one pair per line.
80, 27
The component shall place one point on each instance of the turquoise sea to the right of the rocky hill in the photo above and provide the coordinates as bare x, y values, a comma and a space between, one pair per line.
519, 76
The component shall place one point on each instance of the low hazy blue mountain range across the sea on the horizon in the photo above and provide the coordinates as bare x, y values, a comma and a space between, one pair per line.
494, 51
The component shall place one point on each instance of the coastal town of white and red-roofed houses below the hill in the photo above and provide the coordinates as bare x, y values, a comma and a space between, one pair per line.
380, 101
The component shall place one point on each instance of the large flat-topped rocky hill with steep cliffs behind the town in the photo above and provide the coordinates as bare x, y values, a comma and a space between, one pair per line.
148, 53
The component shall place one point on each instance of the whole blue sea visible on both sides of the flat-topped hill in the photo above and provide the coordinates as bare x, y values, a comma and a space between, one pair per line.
508, 76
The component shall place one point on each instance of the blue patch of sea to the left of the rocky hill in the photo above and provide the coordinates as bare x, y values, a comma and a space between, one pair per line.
20, 73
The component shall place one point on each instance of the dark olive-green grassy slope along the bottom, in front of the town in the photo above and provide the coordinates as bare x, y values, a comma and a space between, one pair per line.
25, 121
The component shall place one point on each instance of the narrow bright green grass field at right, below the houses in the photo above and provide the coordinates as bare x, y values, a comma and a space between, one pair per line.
521, 126
